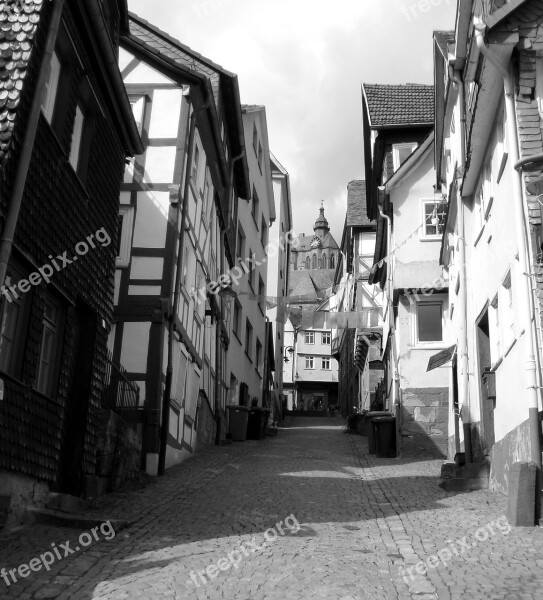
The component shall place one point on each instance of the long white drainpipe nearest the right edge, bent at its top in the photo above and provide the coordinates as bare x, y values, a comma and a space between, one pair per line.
525, 311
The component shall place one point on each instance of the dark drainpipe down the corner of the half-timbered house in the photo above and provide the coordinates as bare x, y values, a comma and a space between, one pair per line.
164, 430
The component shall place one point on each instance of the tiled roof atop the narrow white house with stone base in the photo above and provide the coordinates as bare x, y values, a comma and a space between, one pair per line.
410, 104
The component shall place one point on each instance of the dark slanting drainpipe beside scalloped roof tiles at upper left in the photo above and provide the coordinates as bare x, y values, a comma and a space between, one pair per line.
16, 200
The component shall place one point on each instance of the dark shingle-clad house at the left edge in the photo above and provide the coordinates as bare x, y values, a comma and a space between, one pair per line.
65, 136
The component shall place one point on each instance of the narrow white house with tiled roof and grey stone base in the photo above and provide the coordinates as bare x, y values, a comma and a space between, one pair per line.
398, 137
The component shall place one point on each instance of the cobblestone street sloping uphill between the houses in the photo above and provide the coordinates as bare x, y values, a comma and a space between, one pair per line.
364, 525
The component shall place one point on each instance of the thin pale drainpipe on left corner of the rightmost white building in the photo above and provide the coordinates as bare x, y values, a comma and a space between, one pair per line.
463, 388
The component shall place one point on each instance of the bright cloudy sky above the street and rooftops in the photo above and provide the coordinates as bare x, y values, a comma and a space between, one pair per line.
305, 60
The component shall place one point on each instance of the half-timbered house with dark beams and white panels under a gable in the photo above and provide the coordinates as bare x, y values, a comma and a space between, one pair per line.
177, 215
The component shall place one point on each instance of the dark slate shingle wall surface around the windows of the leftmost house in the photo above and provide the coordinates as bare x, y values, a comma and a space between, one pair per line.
58, 212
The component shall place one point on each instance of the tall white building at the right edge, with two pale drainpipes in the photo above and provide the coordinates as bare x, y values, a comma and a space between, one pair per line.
488, 157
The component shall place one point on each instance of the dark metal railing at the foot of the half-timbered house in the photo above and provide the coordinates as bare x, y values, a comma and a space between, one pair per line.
121, 395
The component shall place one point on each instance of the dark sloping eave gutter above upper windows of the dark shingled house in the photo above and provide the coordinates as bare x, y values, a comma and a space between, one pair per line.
115, 75
